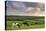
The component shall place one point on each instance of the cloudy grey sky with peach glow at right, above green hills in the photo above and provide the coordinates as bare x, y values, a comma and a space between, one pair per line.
25, 8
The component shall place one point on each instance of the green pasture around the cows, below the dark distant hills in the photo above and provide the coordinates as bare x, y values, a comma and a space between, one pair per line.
33, 24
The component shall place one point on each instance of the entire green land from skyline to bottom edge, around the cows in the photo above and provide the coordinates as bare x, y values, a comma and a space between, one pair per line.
34, 22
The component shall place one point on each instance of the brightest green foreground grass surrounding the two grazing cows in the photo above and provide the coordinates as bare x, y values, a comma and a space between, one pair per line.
35, 26
